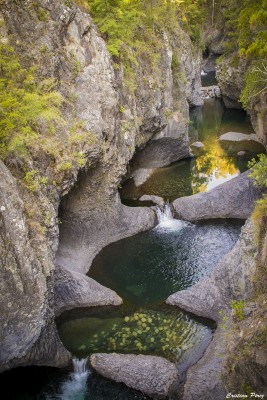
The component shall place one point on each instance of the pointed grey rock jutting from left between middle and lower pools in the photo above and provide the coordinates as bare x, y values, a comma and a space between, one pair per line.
73, 289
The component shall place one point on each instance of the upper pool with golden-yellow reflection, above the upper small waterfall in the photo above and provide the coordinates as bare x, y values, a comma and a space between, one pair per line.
210, 168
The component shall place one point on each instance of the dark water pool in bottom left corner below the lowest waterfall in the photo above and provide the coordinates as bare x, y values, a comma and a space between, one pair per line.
42, 383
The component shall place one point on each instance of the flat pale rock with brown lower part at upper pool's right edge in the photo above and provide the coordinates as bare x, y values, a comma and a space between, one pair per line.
234, 142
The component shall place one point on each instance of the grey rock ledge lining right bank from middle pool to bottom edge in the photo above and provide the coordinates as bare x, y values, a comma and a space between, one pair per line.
211, 298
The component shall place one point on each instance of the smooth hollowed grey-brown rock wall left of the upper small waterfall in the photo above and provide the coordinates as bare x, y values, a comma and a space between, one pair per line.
86, 229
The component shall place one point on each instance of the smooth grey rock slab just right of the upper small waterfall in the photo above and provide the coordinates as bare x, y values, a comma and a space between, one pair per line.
232, 199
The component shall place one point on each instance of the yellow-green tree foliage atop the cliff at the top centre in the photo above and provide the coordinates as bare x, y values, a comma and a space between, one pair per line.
134, 29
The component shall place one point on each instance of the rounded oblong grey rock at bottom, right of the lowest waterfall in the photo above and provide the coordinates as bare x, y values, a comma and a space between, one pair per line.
151, 375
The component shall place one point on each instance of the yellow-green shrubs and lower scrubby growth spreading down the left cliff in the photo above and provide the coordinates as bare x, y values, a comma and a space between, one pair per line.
33, 126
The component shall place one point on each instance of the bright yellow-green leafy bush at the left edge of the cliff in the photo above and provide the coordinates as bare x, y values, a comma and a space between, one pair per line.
25, 105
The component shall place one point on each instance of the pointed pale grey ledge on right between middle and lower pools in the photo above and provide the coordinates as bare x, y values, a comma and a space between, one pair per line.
211, 296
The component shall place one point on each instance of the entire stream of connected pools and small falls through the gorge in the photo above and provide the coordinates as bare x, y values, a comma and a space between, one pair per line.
144, 270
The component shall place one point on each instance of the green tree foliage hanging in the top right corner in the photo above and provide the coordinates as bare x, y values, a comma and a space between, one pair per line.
245, 30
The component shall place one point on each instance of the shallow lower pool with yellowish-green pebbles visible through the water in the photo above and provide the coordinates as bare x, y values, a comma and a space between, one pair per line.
160, 330
